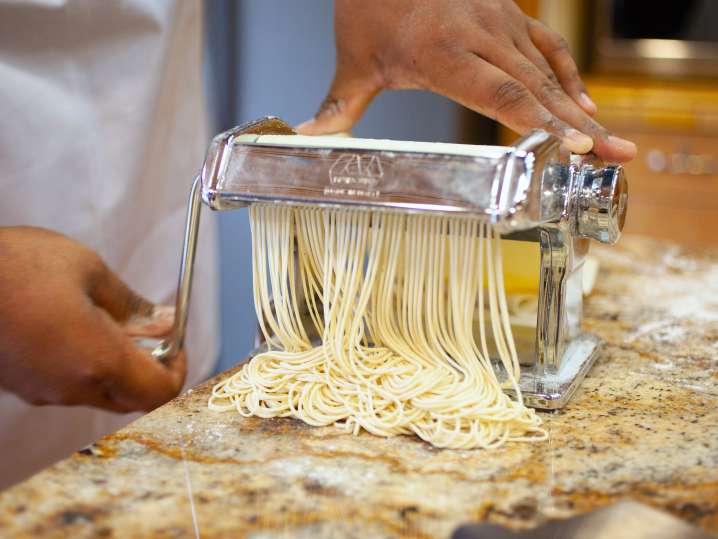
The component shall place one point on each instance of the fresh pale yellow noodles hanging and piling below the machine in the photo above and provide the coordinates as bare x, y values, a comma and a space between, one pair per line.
393, 298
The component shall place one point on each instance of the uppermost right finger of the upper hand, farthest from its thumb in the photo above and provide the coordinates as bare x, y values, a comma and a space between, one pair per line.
556, 51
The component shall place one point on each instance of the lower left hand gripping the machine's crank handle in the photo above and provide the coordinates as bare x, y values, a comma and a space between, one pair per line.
66, 329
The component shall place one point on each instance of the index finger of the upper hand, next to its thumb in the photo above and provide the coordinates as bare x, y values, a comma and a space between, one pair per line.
483, 87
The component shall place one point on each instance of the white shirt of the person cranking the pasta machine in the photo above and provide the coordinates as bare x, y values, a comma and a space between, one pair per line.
103, 129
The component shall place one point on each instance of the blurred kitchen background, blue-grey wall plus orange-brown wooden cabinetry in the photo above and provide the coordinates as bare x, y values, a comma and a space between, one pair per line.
650, 65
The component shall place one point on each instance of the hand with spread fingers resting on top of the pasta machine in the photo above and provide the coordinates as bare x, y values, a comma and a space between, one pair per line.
485, 54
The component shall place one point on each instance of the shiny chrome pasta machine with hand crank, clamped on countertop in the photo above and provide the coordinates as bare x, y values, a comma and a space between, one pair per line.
536, 195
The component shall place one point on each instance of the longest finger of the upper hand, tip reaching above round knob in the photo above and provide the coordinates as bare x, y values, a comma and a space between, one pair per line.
552, 96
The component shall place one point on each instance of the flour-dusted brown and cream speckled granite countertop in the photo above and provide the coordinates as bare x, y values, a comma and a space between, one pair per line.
644, 425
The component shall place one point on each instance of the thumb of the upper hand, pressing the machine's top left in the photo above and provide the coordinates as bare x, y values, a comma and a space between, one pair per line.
345, 104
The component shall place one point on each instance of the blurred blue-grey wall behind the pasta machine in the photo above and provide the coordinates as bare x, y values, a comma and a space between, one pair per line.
277, 57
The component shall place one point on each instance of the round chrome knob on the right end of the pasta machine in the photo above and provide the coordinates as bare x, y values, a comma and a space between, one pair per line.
601, 205
